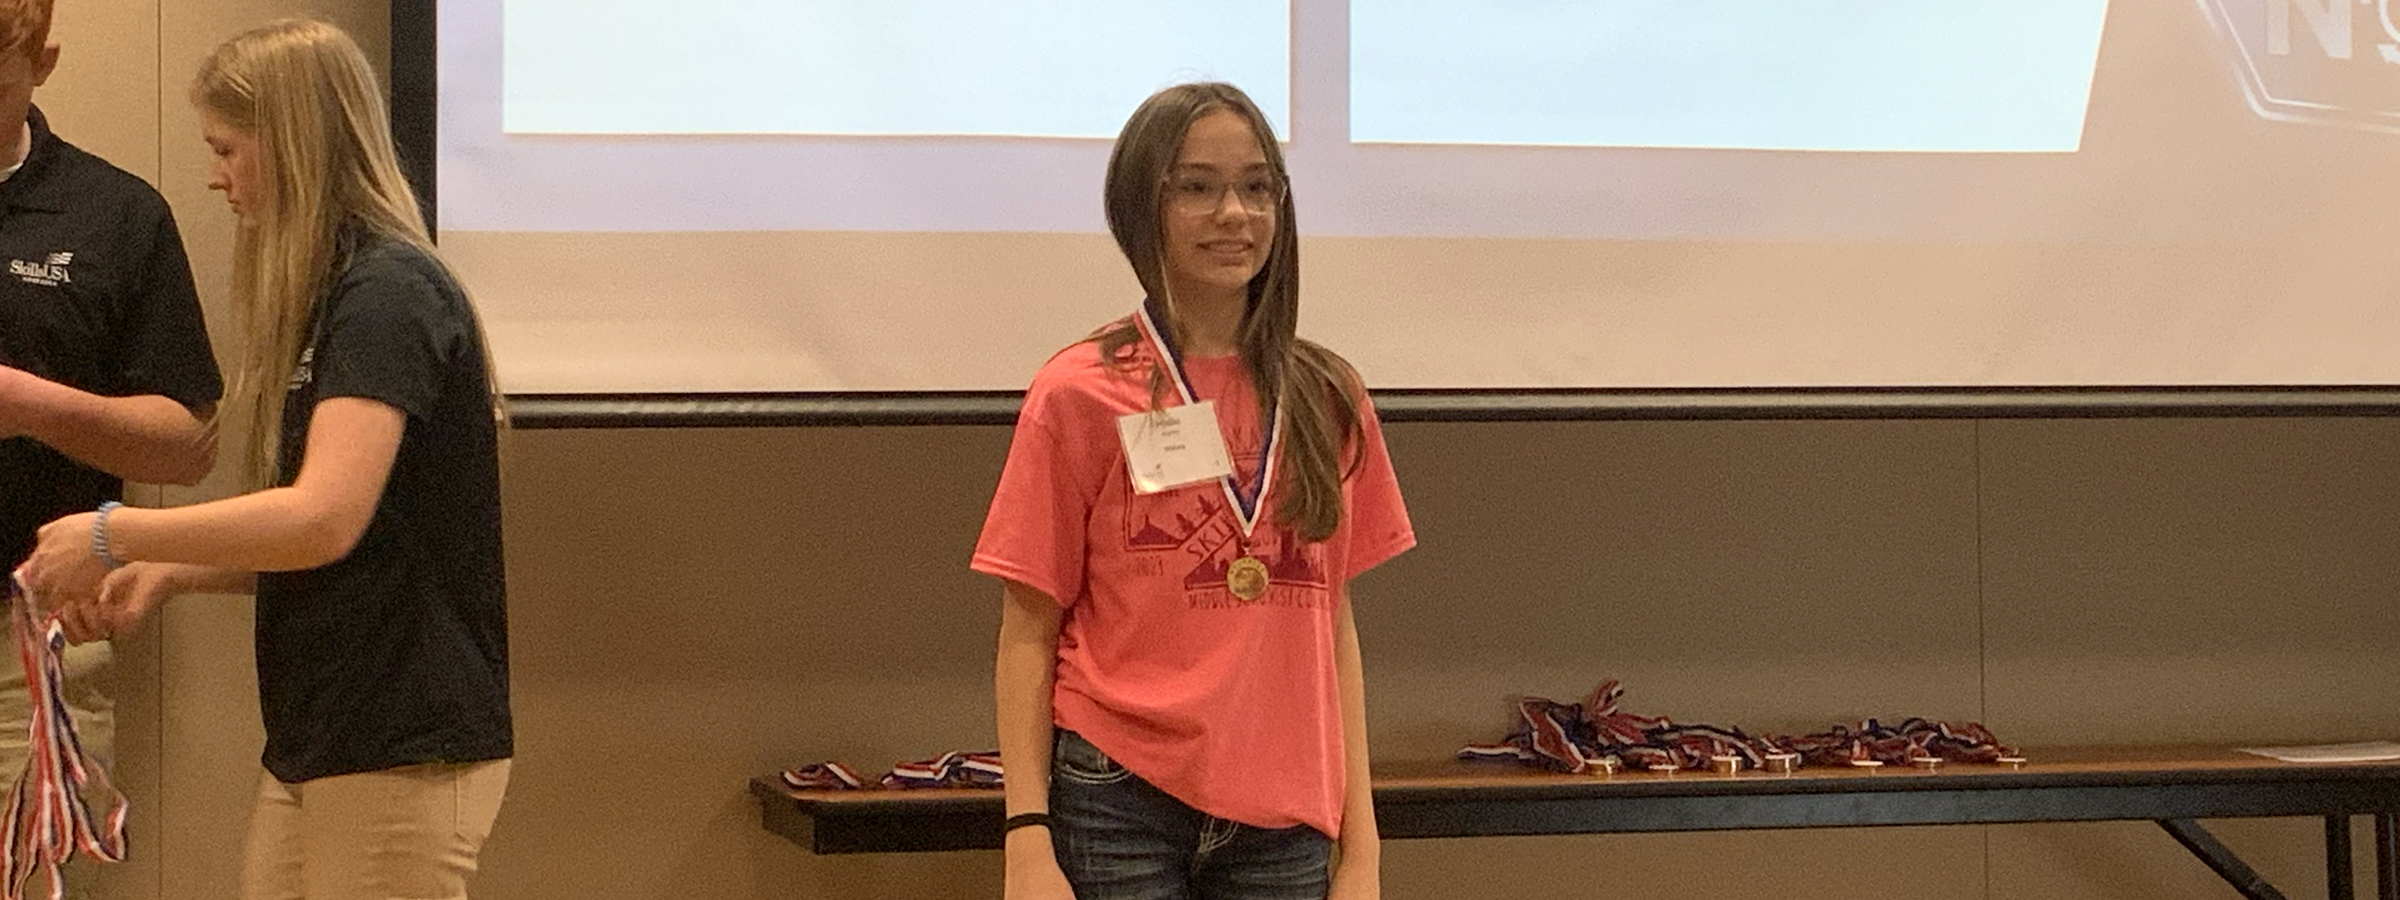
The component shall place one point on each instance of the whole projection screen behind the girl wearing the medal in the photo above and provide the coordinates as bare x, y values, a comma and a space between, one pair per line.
904, 196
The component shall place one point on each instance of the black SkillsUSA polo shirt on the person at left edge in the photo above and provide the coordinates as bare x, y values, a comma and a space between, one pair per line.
97, 296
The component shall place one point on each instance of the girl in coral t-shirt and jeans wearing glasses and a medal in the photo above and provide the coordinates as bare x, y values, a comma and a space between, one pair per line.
1180, 692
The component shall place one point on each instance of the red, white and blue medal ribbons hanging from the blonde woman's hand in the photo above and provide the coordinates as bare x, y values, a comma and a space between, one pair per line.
47, 817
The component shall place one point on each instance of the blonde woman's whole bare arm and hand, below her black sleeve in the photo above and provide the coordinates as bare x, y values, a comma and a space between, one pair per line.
318, 520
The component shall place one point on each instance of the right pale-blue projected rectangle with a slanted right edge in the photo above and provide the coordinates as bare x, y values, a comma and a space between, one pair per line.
1727, 76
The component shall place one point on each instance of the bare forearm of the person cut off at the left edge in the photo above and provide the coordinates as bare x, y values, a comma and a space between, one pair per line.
136, 438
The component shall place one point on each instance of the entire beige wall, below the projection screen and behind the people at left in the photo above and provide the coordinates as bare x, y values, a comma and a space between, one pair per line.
702, 606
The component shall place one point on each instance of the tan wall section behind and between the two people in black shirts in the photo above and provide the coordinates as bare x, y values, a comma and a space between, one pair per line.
188, 700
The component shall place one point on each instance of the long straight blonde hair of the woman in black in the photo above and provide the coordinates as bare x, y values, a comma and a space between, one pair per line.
325, 162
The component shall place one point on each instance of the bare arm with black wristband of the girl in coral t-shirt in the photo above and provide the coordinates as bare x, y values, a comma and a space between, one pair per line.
1021, 685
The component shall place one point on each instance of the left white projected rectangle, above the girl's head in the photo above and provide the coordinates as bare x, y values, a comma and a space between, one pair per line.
1055, 68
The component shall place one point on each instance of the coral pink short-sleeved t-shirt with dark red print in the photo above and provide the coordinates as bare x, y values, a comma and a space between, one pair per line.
1223, 704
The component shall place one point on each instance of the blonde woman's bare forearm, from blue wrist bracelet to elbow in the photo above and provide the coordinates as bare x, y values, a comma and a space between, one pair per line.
277, 529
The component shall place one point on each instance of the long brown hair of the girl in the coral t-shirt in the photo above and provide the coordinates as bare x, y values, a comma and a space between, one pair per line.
1316, 390
